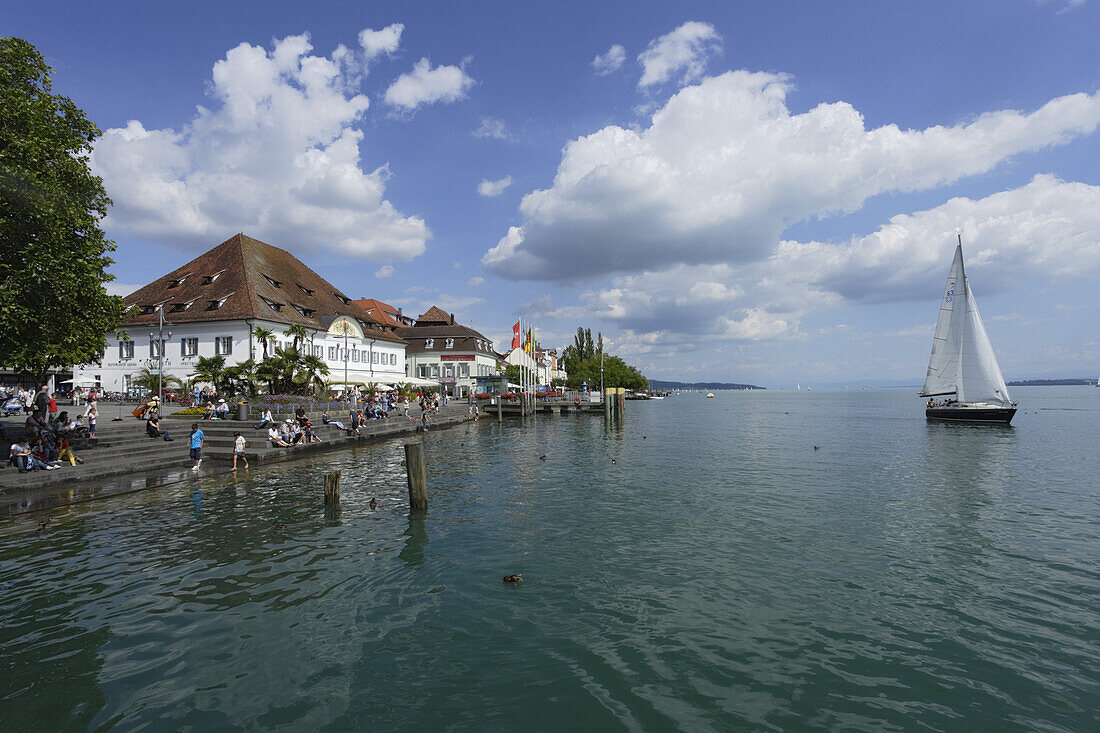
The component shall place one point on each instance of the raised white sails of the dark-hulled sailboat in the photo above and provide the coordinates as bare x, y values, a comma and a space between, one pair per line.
963, 362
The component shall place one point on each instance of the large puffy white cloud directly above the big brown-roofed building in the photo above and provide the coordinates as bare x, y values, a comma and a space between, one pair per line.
276, 157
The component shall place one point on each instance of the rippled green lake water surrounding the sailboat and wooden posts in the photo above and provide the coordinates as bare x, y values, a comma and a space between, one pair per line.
698, 567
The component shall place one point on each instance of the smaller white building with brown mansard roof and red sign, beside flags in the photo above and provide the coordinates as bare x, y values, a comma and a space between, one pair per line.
443, 351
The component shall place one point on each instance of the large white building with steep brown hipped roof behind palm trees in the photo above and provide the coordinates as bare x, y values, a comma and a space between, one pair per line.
215, 305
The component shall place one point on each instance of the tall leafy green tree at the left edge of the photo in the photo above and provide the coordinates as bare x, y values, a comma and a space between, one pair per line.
54, 309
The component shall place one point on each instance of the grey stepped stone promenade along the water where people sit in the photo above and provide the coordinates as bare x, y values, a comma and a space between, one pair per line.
125, 460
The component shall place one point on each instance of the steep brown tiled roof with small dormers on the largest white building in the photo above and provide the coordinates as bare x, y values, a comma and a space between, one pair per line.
246, 279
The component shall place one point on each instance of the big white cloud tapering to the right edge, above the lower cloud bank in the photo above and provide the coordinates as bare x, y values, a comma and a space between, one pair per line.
724, 169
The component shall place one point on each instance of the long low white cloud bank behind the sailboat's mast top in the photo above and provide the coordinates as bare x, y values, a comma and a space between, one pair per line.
1047, 232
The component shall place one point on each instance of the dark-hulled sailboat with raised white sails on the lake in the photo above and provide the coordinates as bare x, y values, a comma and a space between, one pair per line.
963, 366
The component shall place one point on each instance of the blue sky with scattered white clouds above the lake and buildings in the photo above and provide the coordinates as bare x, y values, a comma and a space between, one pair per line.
763, 193
